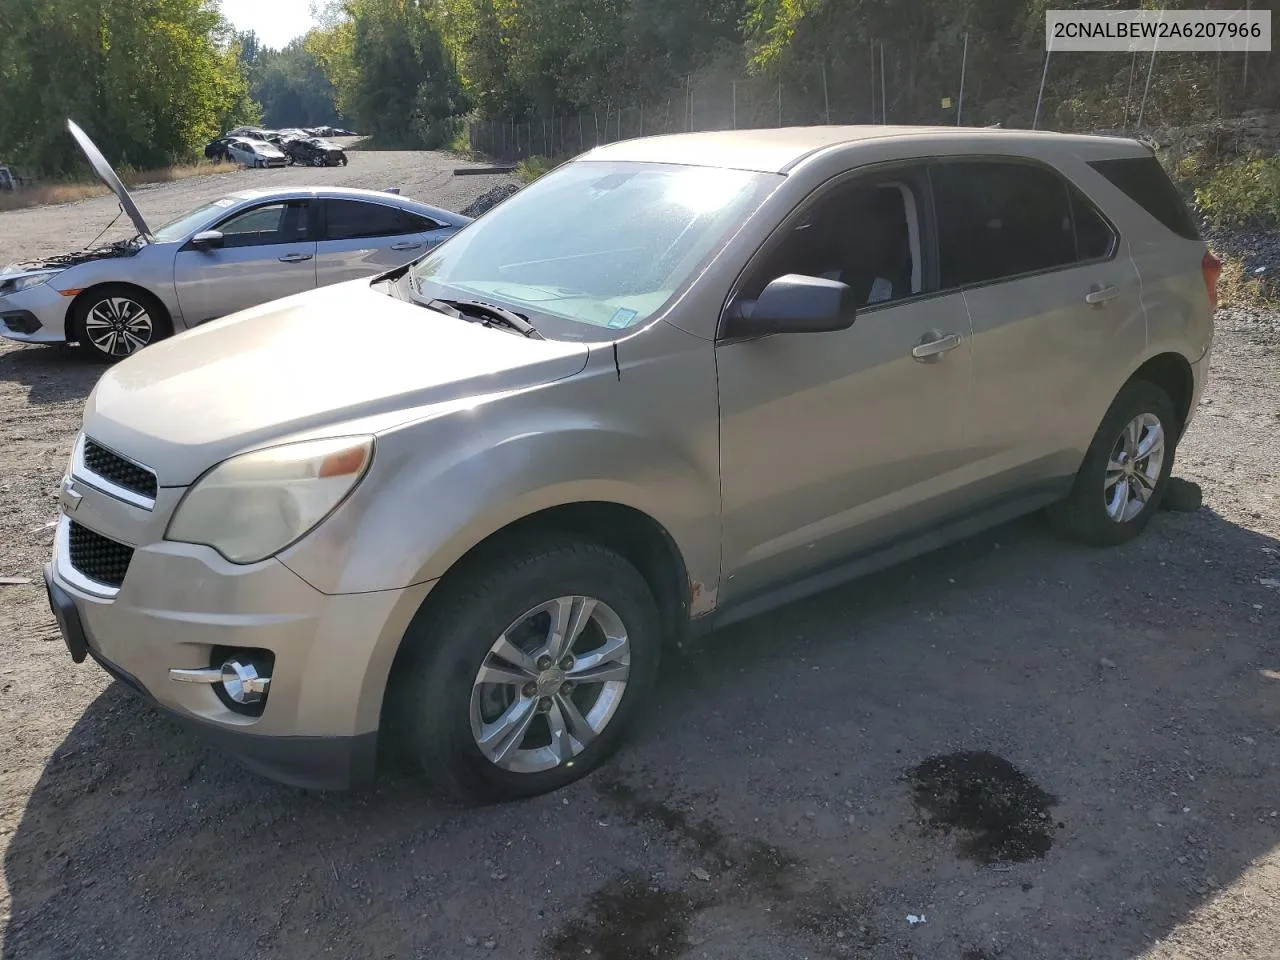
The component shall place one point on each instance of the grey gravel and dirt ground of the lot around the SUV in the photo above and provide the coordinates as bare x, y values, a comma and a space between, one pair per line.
1035, 751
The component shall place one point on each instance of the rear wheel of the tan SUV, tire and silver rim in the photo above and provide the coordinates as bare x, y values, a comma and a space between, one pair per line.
1105, 508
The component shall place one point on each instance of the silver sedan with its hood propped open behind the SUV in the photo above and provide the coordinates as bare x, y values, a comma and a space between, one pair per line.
227, 255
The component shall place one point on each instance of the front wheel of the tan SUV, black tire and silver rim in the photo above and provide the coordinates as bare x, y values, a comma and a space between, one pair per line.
444, 711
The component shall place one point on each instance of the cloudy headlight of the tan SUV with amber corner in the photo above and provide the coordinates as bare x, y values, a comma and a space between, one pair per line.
253, 506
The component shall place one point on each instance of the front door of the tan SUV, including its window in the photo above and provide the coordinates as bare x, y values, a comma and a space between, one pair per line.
834, 444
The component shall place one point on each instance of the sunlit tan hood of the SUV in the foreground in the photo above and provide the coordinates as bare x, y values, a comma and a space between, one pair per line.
318, 360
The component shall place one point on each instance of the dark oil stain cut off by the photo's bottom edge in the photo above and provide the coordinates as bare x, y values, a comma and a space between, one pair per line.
628, 920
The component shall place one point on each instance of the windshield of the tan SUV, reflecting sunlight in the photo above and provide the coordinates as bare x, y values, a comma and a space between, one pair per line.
601, 245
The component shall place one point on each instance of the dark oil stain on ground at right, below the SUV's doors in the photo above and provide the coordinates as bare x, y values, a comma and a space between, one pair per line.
1000, 815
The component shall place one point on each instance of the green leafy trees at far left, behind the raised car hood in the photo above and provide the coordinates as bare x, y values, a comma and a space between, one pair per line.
153, 80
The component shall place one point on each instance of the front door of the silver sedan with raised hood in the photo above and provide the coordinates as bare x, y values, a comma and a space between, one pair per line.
267, 254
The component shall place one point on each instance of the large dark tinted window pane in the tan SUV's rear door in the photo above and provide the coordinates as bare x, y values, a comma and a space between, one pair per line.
1002, 220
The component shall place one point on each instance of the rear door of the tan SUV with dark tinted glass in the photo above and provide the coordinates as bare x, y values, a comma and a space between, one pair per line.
1057, 313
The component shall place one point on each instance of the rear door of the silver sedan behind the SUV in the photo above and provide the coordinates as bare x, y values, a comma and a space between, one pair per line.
362, 239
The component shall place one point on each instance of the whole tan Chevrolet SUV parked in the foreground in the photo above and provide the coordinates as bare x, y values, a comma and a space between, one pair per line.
670, 385
